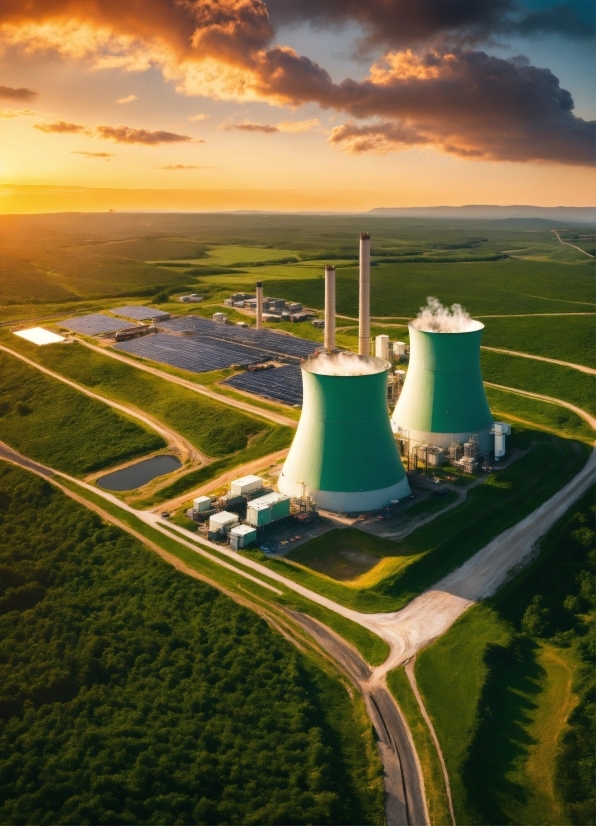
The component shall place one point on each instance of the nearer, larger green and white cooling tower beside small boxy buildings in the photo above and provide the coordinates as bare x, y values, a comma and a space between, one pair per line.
344, 452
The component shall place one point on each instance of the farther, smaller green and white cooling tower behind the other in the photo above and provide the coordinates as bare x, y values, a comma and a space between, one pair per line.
443, 398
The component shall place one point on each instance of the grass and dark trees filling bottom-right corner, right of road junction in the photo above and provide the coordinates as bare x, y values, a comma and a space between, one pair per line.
520, 669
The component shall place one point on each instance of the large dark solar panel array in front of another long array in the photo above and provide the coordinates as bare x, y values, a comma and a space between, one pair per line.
193, 353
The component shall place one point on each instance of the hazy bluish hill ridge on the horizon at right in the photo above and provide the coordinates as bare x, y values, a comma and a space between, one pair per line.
490, 212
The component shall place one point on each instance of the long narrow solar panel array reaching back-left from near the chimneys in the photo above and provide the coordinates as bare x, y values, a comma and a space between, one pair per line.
273, 343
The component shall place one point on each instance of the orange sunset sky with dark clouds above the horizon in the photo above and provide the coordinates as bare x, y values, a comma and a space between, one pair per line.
295, 104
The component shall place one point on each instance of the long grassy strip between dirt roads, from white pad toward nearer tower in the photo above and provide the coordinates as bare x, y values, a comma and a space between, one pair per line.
211, 426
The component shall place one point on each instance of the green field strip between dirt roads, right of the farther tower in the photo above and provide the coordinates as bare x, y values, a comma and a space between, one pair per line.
540, 377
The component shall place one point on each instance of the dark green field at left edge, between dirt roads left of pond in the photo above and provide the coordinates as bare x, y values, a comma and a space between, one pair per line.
54, 424
